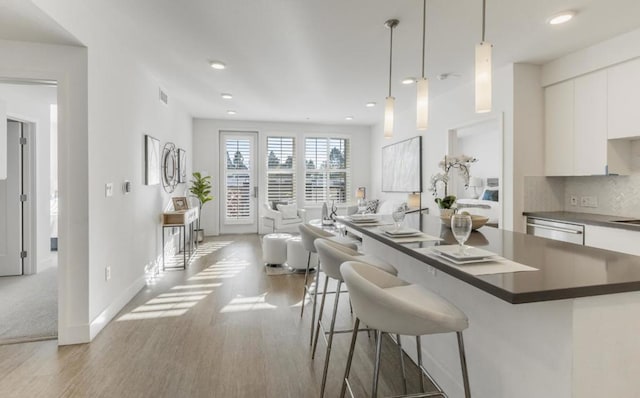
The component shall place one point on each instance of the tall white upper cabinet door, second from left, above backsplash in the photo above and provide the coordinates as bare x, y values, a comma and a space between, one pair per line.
590, 124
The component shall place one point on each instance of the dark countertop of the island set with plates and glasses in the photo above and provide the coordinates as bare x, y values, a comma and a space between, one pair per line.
565, 270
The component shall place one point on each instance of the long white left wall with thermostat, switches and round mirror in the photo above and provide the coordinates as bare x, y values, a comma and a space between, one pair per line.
122, 231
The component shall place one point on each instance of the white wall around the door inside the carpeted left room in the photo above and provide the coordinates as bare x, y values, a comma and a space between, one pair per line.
32, 104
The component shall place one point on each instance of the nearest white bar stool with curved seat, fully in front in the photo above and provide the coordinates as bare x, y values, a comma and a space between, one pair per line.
391, 305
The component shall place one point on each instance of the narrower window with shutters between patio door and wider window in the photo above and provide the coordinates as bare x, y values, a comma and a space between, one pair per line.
281, 166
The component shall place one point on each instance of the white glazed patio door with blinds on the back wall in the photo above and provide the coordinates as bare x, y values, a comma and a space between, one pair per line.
240, 189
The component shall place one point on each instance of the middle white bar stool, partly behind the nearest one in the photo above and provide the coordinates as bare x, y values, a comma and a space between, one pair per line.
331, 257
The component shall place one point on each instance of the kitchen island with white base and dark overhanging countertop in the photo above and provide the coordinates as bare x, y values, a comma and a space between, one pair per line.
568, 329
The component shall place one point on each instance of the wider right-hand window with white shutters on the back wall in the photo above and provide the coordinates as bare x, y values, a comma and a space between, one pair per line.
327, 170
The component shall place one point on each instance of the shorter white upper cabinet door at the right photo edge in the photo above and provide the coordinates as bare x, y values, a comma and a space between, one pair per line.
624, 100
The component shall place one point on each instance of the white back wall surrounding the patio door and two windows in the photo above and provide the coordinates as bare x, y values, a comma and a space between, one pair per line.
206, 156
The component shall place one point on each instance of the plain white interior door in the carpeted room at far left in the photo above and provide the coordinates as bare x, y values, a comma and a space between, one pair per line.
10, 206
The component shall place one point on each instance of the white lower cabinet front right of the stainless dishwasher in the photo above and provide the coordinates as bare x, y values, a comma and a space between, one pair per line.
615, 239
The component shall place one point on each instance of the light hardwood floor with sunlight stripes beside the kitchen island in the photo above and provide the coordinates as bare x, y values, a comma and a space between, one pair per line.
222, 328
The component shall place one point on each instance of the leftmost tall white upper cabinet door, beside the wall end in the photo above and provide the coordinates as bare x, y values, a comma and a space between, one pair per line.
558, 101
